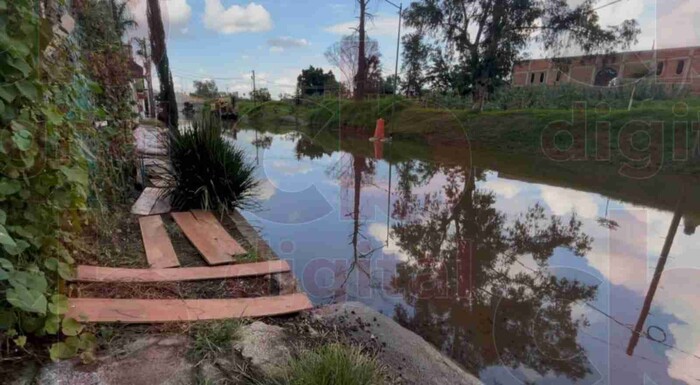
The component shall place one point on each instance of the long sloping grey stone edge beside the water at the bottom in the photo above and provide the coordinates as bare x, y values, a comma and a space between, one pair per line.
410, 358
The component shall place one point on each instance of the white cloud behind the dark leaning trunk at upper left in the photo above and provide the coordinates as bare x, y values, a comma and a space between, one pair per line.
176, 16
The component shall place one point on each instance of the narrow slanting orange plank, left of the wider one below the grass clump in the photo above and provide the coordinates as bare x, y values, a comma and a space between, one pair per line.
159, 250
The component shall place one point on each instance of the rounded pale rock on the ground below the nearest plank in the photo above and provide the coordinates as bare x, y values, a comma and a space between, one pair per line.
265, 346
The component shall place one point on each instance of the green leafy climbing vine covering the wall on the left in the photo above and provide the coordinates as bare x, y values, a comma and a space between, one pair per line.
50, 154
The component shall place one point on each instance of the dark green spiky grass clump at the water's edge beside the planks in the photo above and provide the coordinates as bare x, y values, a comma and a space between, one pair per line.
207, 172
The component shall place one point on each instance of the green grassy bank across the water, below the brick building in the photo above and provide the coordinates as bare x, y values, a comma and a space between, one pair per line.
537, 131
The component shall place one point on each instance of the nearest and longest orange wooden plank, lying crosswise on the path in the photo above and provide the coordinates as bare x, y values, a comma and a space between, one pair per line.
174, 310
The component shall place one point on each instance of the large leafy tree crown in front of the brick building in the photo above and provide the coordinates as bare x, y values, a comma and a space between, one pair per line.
488, 36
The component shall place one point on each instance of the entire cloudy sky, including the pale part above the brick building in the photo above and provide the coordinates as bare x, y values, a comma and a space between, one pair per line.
225, 40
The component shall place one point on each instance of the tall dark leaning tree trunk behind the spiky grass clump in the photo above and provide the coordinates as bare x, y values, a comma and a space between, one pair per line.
160, 58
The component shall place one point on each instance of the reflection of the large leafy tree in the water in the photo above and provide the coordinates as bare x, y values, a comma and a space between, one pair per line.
469, 293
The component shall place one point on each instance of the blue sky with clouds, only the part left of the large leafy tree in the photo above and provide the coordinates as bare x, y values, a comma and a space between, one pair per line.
225, 40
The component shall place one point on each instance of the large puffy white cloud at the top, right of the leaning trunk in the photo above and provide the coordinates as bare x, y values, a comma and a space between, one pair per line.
251, 18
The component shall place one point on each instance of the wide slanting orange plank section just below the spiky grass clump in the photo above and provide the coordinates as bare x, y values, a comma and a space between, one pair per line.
207, 235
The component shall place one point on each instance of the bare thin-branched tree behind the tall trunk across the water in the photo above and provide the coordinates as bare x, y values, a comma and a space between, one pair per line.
344, 54
